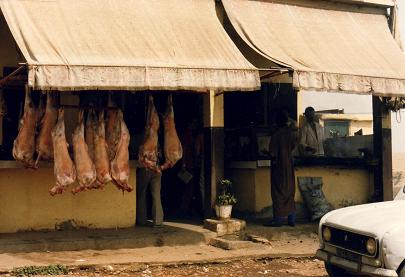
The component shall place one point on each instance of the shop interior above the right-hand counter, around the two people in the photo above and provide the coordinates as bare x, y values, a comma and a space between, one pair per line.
347, 136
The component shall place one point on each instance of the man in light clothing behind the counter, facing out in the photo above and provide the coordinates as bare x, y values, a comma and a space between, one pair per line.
311, 135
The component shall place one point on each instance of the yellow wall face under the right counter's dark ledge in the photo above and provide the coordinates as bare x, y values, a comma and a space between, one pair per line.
342, 186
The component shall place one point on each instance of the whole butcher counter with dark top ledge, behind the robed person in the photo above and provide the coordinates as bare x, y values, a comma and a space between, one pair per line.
346, 181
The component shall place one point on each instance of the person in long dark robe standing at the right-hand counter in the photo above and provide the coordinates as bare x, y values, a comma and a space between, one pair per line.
282, 144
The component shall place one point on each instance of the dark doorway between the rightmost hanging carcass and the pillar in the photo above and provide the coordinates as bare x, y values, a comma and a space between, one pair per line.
182, 200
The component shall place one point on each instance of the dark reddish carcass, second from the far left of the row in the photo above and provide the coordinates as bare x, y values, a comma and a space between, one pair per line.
44, 144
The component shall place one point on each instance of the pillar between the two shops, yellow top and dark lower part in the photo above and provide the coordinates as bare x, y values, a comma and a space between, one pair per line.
213, 103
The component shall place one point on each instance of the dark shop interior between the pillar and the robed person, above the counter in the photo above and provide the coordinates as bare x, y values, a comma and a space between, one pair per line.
247, 133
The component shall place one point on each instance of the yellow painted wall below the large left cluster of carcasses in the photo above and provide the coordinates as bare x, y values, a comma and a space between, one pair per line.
25, 203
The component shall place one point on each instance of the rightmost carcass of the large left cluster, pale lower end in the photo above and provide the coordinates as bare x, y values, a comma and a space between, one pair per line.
120, 163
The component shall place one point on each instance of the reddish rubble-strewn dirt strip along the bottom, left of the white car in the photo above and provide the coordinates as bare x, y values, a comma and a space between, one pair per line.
248, 267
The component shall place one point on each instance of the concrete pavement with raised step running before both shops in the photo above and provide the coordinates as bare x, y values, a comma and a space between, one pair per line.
173, 244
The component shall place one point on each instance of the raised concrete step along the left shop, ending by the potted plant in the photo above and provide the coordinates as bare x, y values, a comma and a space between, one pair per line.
171, 234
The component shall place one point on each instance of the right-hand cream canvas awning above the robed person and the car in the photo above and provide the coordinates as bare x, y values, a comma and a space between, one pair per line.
330, 46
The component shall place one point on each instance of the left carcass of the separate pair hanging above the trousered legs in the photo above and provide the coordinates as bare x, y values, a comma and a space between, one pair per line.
148, 151
